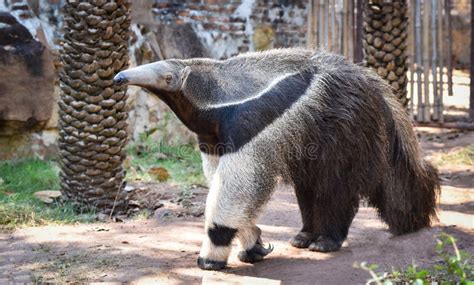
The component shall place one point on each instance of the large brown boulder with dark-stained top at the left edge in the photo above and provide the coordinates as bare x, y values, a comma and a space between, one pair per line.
27, 79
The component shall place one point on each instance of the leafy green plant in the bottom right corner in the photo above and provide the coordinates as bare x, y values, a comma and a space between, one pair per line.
451, 269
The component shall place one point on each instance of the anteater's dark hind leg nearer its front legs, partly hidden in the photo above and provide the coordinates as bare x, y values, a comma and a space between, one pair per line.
305, 202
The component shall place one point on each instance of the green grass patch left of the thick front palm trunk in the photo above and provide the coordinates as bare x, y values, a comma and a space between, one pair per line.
19, 180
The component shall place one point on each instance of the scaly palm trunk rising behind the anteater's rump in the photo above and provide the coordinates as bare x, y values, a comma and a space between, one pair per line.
385, 42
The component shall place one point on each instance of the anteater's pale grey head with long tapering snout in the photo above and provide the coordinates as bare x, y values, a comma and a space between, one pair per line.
166, 76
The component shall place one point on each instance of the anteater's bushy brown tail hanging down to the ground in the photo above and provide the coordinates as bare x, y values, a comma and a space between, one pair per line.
406, 200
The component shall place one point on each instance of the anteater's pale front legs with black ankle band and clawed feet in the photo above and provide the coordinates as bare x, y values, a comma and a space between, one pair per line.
235, 198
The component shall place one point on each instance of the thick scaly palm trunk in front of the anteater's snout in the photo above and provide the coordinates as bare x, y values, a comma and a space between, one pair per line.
92, 115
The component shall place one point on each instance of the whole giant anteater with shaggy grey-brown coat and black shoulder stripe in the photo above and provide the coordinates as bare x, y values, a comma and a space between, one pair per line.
331, 129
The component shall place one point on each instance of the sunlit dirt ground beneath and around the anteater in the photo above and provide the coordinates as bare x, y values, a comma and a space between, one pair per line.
163, 249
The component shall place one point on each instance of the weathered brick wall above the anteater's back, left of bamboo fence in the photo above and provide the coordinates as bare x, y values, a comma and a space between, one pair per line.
229, 27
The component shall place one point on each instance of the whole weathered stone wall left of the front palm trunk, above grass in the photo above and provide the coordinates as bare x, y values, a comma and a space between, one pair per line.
28, 93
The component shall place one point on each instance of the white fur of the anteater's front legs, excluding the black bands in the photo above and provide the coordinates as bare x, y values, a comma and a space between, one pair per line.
232, 202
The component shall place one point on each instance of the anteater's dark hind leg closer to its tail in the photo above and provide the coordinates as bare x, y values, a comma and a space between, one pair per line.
333, 216
